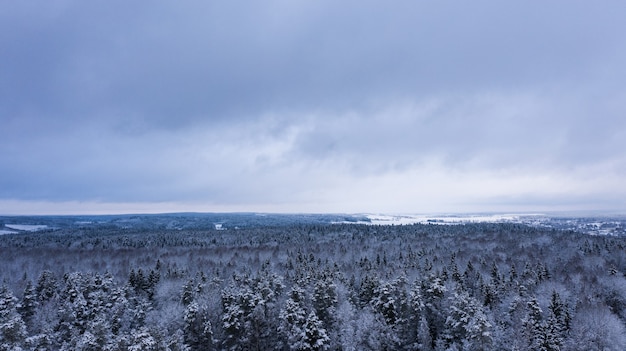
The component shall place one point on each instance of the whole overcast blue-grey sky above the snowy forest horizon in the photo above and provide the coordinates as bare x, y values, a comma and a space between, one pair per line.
312, 106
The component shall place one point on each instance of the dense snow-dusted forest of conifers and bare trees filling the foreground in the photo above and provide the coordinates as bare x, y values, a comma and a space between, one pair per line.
313, 287
